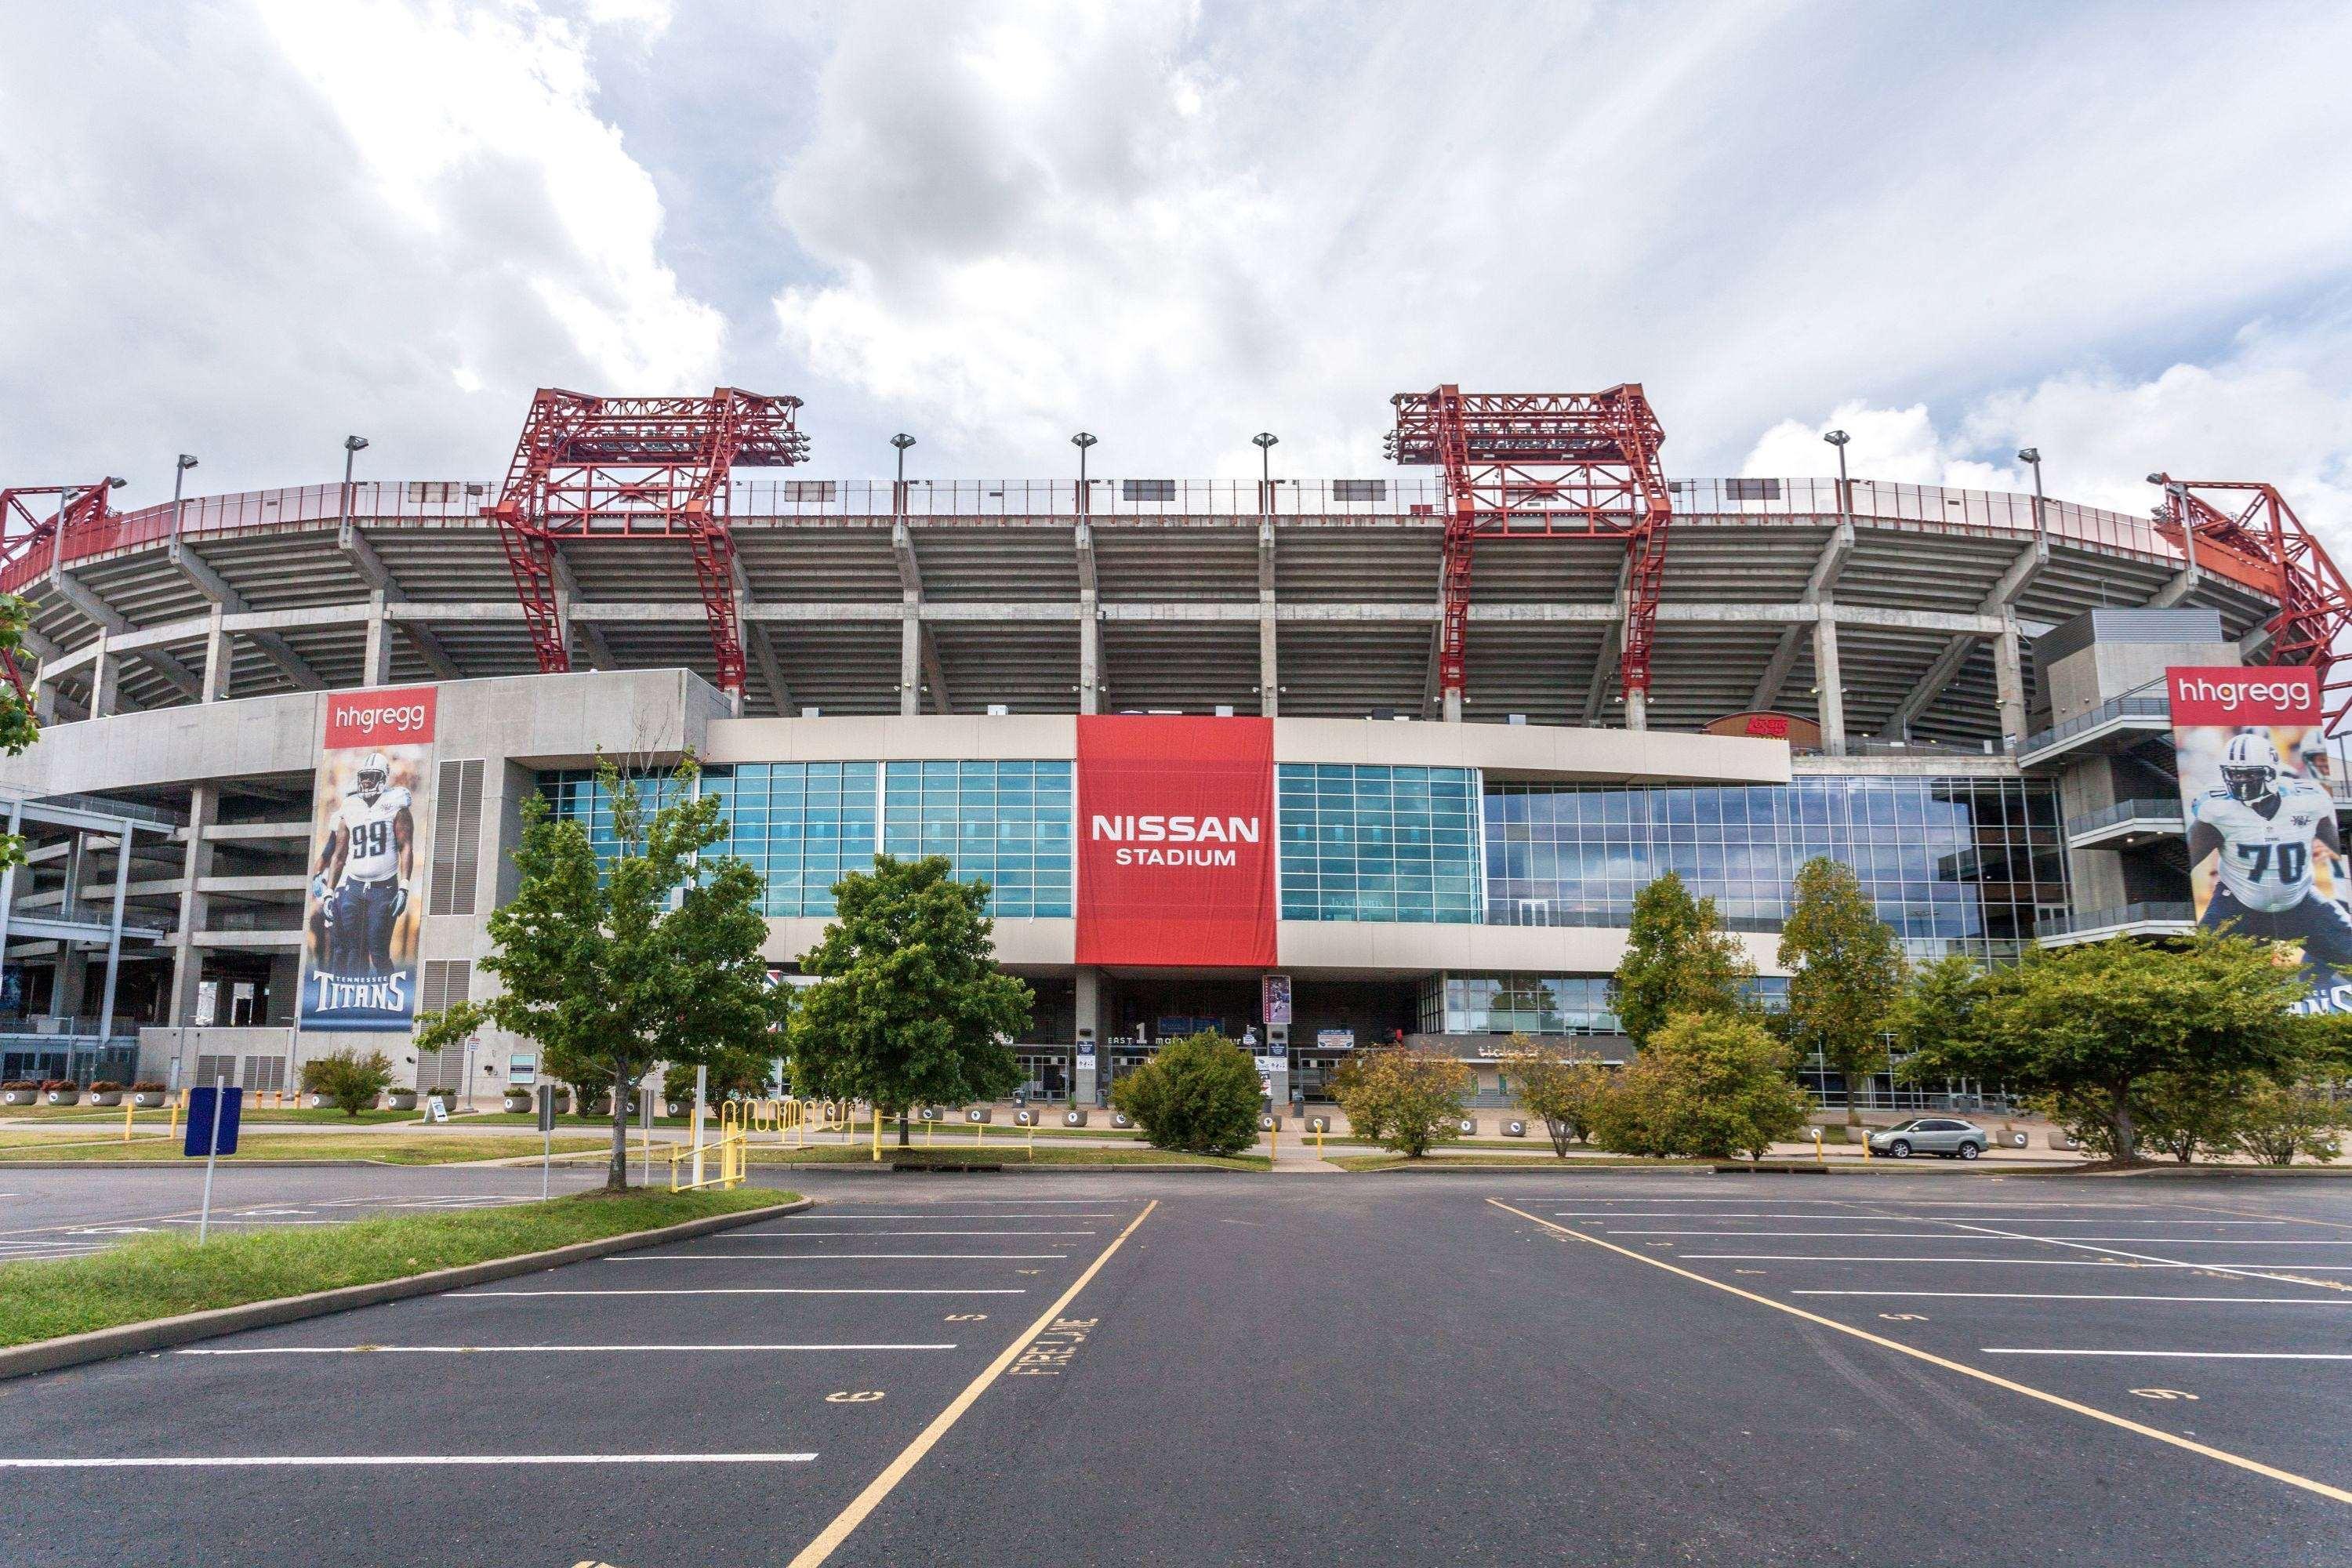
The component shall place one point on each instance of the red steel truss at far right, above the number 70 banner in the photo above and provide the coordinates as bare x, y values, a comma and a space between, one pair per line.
2250, 535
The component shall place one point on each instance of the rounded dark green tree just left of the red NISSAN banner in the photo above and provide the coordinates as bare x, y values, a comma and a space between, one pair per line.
909, 1005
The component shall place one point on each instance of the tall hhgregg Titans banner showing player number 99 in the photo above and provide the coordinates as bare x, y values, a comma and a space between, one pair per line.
368, 847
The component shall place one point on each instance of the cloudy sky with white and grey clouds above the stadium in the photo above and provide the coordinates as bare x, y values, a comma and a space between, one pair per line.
253, 227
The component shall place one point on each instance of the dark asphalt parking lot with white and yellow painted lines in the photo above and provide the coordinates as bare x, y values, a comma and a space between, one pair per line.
1278, 1369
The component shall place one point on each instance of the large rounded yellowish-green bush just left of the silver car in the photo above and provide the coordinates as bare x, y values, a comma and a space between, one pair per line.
1709, 1085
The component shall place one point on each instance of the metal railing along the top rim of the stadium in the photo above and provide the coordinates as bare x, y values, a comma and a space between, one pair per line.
1405, 497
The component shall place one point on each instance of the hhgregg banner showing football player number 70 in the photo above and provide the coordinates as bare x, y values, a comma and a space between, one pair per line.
2266, 857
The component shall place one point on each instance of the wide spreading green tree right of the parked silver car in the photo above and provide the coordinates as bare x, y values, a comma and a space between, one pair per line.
2087, 1026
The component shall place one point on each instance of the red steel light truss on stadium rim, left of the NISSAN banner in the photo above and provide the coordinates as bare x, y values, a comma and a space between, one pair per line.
636, 469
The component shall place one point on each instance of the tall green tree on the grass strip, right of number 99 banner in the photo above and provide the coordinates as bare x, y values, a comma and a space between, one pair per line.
650, 958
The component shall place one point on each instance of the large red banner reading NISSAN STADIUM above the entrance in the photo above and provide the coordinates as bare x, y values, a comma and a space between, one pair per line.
1175, 840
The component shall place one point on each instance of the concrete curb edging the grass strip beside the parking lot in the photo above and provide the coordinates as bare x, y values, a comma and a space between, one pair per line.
166, 1332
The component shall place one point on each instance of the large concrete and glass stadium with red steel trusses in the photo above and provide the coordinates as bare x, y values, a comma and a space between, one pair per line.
1323, 763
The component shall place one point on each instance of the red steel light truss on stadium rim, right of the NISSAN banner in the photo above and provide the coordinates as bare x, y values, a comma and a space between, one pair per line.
1544, 467
